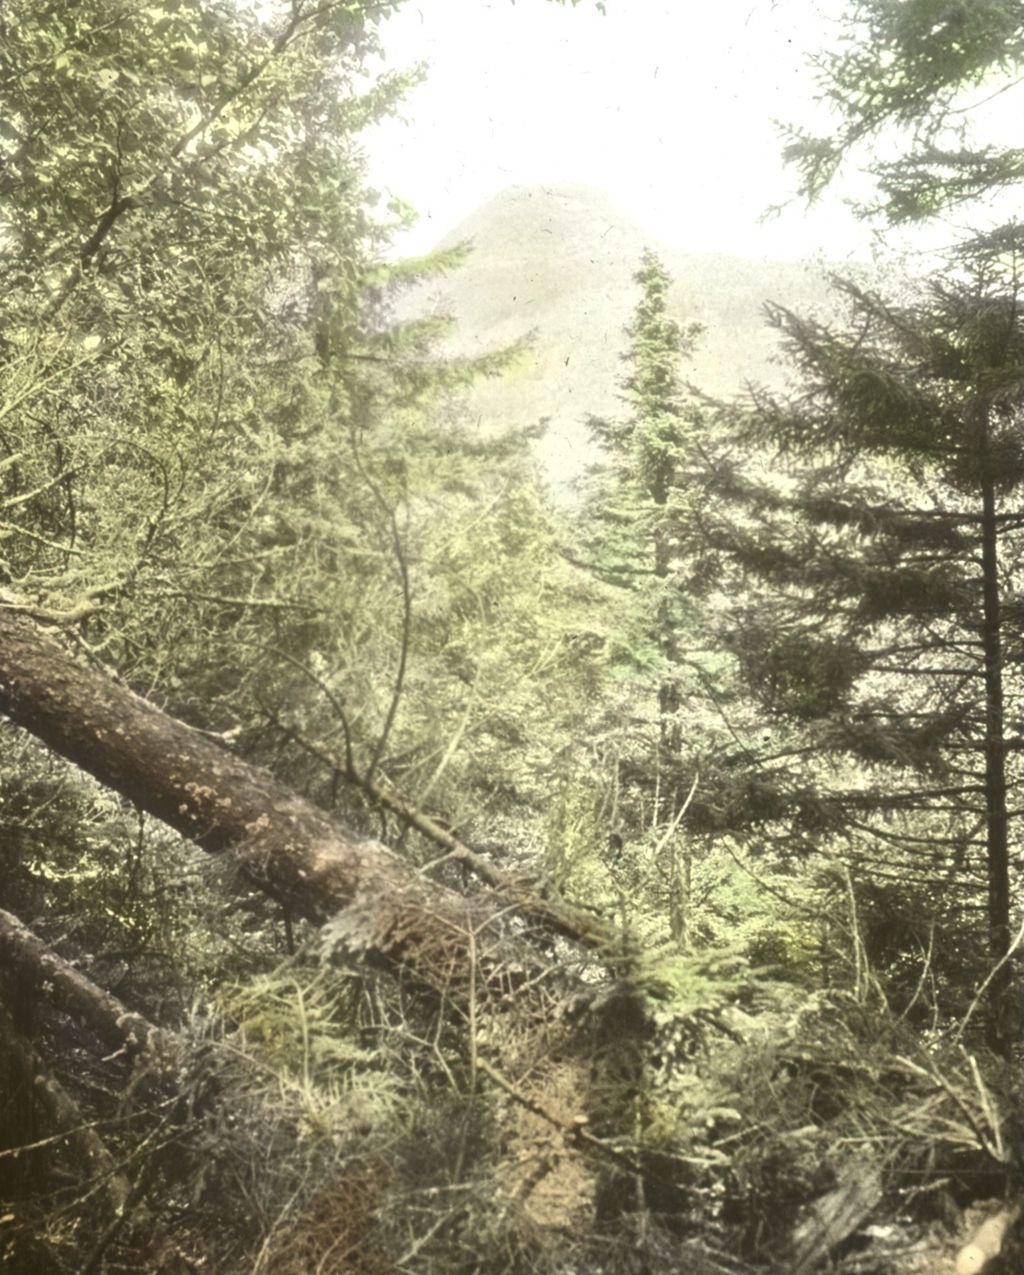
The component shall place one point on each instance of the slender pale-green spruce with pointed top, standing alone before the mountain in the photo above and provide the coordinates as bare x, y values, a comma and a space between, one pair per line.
638, 495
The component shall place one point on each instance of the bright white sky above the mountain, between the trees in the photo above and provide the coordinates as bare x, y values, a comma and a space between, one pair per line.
668, 105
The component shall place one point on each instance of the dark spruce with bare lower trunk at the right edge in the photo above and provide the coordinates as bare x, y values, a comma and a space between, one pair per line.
875, 512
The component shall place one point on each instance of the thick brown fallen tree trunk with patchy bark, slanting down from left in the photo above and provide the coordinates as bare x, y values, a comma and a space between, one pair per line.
280, 842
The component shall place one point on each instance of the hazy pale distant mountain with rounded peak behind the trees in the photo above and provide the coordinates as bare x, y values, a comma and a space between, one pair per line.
558, 261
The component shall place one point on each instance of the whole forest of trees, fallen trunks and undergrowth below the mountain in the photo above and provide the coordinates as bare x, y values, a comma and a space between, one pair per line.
404, 871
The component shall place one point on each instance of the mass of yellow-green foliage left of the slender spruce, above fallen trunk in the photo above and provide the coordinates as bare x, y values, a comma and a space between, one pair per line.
240, 438
